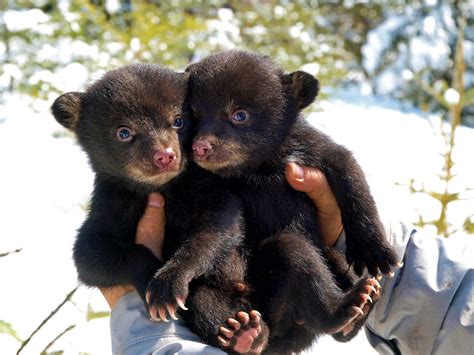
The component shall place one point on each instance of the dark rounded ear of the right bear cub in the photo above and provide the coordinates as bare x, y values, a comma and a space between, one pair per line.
302, 86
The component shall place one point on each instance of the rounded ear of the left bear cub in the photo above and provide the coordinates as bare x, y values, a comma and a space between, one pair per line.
66, 109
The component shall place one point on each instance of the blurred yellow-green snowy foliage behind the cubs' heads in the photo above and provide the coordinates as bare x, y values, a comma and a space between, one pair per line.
43, 37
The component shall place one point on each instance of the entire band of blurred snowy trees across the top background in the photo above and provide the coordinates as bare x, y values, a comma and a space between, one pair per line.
392, 45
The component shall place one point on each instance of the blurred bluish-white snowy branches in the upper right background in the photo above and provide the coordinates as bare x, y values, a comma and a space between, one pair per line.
429, 33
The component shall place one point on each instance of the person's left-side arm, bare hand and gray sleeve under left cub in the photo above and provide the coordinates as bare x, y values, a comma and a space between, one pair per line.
131, 329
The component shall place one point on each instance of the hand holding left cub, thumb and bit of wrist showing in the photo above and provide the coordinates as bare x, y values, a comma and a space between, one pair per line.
150, 233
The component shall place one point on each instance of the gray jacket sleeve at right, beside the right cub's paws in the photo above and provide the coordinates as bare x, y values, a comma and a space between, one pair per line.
428, 307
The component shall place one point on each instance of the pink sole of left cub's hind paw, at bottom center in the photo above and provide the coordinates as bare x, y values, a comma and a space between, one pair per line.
240, 333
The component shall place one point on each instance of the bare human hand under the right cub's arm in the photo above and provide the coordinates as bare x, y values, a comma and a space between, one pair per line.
316, 186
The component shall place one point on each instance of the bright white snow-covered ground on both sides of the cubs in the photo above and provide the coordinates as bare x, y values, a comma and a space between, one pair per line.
45, 183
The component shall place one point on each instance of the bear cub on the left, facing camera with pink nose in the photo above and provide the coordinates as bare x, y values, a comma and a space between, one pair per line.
135, 127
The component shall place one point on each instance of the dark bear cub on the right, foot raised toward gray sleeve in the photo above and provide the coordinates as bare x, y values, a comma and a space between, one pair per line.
248, 127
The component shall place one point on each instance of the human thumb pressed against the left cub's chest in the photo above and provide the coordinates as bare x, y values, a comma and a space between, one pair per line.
151, 227
